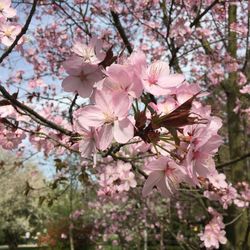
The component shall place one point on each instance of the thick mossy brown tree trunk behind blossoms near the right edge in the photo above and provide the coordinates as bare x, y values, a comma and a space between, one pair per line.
237, 230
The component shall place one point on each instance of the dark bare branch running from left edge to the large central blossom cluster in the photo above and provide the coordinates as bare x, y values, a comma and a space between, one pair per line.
33, 113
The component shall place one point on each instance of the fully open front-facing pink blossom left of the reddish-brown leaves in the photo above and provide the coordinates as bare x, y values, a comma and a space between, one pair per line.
109, 115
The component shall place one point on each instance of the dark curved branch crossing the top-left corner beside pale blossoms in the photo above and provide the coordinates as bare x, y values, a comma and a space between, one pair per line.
23, 31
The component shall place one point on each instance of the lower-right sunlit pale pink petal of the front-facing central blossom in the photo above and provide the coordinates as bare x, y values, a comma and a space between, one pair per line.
123, 130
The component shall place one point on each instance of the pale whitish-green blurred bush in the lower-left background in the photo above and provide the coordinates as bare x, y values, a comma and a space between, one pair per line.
19, 212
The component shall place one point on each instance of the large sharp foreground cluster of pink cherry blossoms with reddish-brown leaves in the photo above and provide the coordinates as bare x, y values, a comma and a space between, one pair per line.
128, 99
